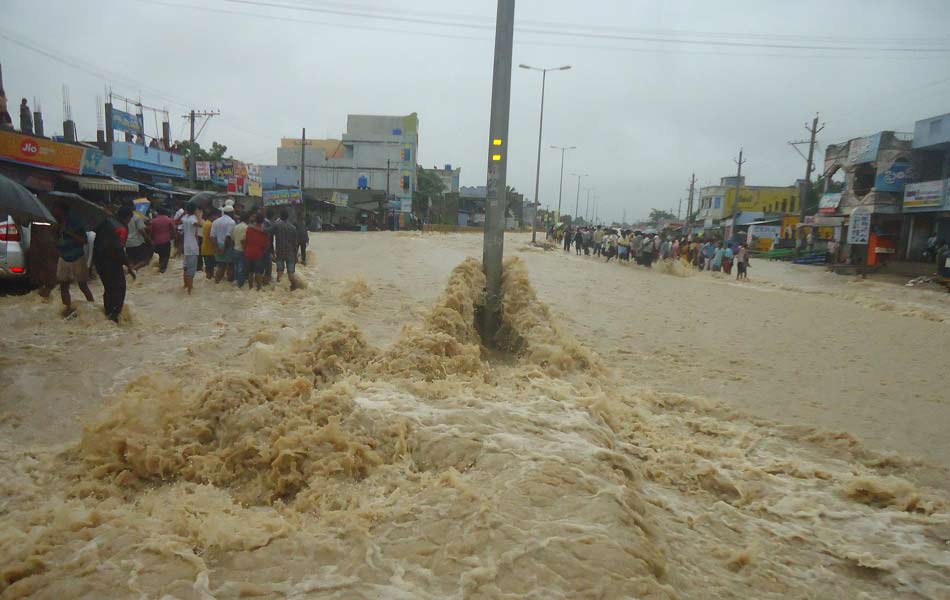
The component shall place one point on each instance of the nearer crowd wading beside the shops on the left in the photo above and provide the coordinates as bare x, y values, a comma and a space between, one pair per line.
227, 244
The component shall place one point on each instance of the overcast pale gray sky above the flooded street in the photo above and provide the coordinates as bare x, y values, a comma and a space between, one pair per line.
642, 113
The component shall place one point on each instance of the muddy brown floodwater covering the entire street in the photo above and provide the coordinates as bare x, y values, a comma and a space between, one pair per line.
647, 434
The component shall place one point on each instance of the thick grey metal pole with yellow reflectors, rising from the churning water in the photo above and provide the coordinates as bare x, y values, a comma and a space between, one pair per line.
497, 194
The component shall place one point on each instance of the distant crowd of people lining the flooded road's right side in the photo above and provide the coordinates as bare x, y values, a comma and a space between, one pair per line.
646, 248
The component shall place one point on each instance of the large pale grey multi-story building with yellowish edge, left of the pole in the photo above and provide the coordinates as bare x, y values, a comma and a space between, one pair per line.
376, 152
